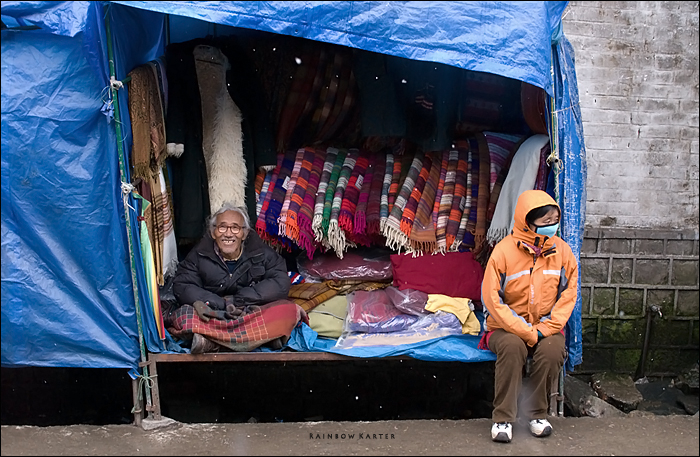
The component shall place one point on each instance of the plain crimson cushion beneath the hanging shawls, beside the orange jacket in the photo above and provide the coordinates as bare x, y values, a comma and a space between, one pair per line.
455, 274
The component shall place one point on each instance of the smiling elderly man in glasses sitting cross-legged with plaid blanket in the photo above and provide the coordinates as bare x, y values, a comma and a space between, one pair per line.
232, 289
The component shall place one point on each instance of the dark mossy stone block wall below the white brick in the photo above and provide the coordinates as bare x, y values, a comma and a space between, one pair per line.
622, 273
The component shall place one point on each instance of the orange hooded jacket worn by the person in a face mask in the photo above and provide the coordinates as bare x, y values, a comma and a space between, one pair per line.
530, 281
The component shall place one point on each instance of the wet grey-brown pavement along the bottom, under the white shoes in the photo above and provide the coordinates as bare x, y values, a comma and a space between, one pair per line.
639, 435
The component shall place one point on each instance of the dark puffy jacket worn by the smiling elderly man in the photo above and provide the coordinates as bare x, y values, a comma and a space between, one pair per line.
260, 276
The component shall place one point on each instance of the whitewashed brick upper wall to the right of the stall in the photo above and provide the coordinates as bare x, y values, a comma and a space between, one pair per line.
637, 70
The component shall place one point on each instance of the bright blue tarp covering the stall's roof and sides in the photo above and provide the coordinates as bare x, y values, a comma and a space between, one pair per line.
67, 280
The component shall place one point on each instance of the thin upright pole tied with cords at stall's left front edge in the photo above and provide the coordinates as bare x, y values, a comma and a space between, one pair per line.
122, 170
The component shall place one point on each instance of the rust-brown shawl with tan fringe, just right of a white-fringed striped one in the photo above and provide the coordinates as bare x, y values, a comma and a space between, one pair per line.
422, 236
